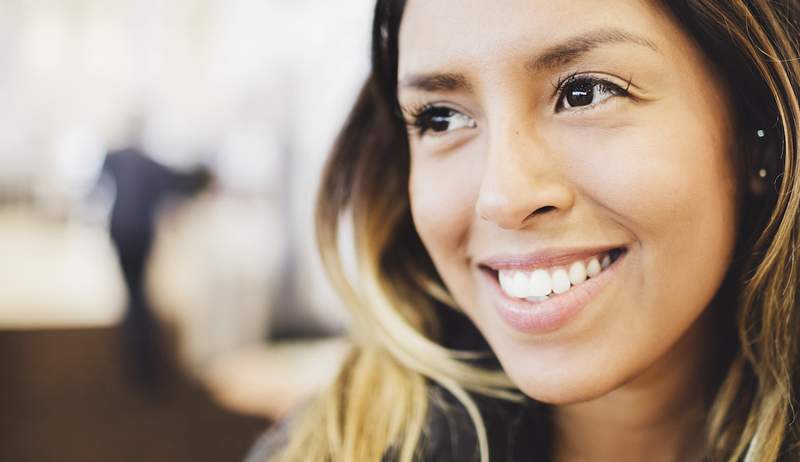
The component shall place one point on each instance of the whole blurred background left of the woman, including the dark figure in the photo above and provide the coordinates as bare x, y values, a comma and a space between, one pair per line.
161, 298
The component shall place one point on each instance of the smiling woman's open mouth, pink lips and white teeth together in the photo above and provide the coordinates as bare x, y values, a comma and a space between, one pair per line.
540, 294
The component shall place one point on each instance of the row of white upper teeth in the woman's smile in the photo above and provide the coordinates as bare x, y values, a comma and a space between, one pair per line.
536, 286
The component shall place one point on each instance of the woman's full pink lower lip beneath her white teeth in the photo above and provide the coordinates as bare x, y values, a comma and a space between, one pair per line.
551, 314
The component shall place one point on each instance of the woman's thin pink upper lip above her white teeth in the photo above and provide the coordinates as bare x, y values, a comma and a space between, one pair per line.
545, 258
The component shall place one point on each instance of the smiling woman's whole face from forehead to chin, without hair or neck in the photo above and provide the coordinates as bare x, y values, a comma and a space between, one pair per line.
548, 137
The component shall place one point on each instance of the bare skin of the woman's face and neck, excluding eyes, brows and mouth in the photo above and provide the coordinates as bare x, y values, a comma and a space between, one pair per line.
513, 174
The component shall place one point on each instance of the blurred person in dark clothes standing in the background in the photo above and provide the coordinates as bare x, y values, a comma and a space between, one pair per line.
142, 185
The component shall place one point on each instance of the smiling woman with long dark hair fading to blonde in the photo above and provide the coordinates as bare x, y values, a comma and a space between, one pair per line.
576, 229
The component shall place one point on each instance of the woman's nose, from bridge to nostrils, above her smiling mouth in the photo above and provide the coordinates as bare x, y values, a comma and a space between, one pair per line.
522, 181
